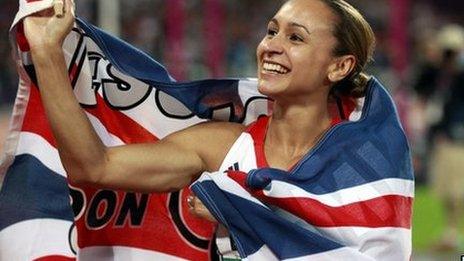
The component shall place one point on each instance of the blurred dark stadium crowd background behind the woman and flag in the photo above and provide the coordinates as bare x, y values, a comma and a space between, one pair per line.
419, 57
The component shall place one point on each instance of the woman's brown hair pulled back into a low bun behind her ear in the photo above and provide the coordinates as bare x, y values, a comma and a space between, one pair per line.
354, 36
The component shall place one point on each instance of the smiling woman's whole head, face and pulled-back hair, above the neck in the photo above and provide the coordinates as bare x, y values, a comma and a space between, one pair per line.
350, 39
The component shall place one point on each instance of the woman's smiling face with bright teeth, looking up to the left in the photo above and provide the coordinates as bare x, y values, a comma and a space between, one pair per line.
295, 56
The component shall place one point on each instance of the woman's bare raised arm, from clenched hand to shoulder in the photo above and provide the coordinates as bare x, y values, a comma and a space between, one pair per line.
163, 166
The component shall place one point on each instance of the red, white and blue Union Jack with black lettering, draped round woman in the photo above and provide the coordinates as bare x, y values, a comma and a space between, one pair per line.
350, 197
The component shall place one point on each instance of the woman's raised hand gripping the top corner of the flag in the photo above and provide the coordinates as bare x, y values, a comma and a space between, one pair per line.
47, 30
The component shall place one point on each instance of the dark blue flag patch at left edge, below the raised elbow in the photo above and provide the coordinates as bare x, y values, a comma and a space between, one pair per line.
30, 190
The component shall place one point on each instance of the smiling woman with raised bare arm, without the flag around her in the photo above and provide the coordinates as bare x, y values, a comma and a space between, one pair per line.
314, 50
